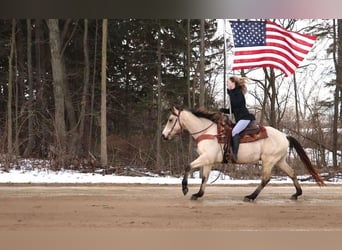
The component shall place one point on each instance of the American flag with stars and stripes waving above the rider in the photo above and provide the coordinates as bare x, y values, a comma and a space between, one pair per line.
267, 44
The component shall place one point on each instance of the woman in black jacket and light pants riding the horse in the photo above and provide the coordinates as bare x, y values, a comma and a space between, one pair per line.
236, 91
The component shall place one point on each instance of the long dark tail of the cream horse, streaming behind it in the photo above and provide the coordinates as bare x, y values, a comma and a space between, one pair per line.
305, 159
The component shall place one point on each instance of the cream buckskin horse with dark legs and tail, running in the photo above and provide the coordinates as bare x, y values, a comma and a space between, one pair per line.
272, 151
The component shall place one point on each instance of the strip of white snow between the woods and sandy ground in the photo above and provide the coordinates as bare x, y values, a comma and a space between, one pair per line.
39, 176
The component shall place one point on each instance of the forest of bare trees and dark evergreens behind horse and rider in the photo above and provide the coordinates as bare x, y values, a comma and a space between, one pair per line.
93, 94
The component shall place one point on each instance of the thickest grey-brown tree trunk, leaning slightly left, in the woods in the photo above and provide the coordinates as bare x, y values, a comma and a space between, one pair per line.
58, 77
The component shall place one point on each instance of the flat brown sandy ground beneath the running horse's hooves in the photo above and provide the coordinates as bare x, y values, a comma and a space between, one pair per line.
38, 215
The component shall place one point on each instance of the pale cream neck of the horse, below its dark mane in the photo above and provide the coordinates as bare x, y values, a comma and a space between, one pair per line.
194, 124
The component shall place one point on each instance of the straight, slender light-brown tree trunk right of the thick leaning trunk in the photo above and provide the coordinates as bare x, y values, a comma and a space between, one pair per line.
104, 158
